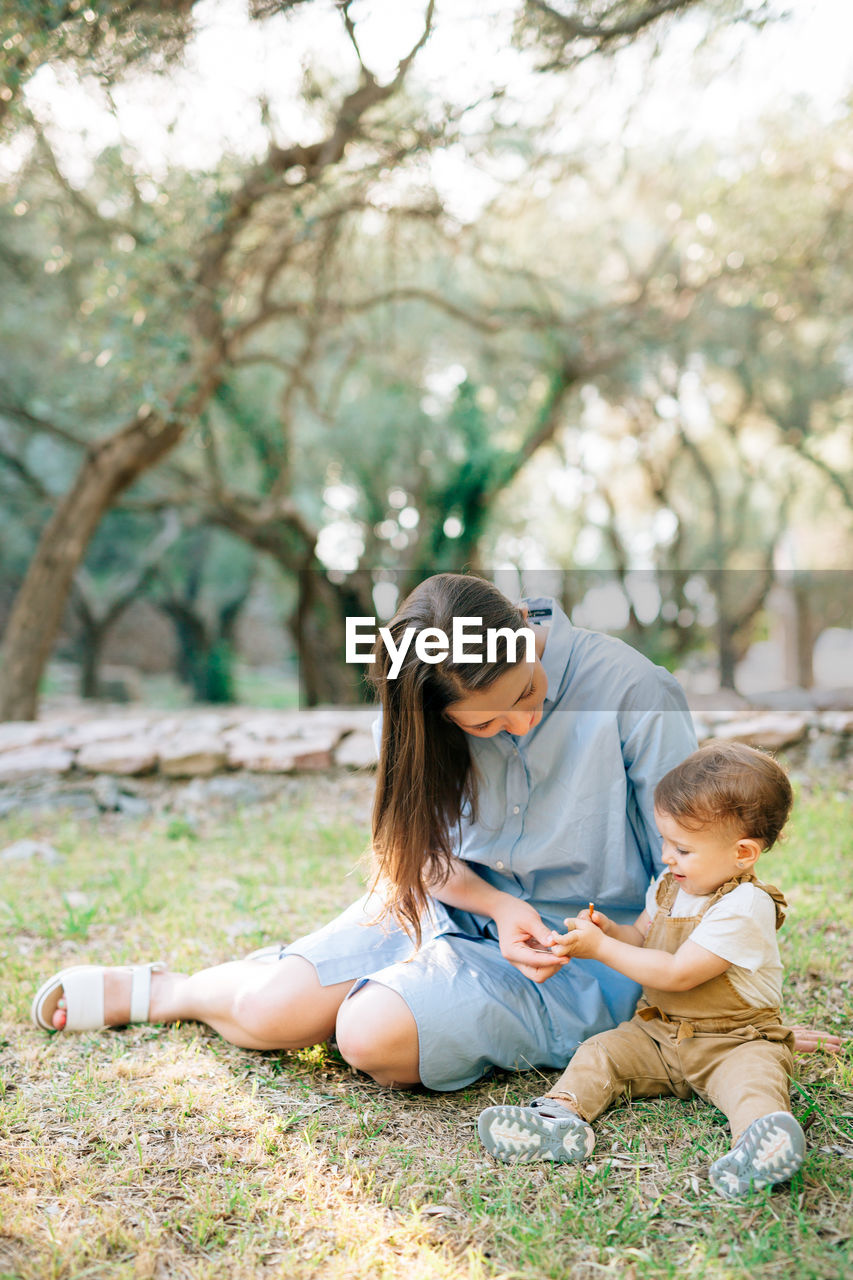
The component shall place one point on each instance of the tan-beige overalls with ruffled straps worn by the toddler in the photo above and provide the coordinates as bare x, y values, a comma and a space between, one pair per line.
706, 1041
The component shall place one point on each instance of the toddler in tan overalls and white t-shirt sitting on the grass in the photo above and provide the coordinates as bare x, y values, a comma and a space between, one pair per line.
705, 952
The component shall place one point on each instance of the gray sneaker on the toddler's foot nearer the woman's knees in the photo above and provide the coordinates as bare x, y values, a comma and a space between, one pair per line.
544, 1131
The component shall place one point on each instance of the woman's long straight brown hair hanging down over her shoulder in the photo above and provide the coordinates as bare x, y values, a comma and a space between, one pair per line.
426, 775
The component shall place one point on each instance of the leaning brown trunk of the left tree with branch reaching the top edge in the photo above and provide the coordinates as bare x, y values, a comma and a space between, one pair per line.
116, 461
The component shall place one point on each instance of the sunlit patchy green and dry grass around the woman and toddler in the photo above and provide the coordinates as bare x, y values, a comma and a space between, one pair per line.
165, 1153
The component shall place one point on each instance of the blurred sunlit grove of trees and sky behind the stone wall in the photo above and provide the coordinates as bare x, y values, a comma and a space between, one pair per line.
304, 301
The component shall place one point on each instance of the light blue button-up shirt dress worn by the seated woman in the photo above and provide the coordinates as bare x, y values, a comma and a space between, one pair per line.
565, 816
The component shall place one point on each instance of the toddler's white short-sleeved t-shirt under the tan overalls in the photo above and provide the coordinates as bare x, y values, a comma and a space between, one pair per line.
740, 929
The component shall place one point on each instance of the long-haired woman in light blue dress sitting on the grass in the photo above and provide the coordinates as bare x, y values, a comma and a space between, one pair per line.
510, 794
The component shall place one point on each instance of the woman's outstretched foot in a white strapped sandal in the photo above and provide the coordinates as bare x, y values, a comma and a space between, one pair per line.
116, 988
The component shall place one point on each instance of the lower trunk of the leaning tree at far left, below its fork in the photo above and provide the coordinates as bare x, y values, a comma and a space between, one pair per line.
111, 467
